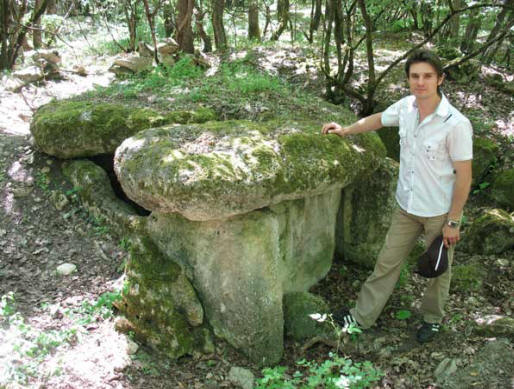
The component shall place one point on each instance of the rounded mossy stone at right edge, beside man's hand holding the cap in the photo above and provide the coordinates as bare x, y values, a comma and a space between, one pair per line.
491, 233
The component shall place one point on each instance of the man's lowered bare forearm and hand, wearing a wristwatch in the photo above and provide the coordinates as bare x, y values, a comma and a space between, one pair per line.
460, 195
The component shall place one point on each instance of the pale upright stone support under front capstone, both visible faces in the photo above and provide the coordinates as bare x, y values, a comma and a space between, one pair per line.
242, 266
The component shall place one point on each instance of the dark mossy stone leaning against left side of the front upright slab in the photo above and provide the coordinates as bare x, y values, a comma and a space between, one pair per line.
159, 302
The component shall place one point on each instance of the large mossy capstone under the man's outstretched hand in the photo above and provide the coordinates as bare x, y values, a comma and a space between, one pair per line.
217, 170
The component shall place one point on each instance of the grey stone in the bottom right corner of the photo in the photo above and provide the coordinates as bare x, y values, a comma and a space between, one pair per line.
492, 367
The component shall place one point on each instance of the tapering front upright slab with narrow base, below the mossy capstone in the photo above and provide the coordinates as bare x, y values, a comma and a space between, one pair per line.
235, 267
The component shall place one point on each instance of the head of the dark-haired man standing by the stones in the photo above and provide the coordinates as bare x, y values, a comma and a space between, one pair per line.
424, 72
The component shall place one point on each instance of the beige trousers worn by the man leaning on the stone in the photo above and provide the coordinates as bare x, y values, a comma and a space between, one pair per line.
400, 240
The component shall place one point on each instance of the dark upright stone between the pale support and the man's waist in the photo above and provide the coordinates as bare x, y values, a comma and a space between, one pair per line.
365, 214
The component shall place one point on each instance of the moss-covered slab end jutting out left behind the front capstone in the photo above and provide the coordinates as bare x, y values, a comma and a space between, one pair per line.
71, 129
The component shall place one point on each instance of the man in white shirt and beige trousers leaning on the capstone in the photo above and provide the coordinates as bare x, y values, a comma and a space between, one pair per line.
433, 186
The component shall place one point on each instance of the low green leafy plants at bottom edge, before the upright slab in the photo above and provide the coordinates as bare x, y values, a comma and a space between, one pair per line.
334, 372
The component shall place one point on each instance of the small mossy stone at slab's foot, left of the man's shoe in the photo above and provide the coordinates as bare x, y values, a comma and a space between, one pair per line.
298, 308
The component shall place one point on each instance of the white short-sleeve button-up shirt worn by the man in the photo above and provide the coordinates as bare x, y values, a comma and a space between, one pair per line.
427, 153
